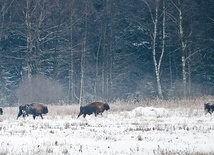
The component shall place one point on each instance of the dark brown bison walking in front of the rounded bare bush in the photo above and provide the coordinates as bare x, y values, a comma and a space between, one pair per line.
35, 109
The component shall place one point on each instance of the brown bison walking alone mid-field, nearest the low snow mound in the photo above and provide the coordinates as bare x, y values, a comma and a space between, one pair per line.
95, 107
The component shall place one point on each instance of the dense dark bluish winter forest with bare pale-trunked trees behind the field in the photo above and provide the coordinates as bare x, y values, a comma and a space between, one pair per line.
78, 51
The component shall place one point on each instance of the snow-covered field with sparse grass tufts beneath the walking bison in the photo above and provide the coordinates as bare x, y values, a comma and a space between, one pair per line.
142, 130
